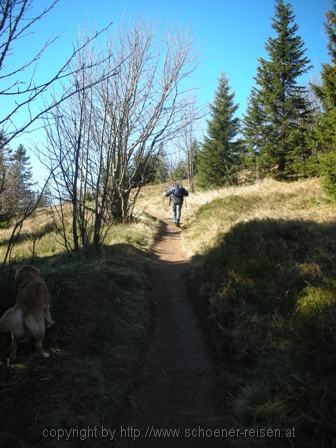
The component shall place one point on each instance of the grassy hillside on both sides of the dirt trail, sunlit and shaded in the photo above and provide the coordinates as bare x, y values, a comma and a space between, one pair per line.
262, 278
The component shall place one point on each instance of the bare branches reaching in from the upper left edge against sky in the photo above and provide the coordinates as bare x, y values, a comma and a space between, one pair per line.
18, 82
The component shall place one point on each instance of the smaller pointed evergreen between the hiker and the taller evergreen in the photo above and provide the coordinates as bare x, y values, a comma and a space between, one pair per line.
218, 158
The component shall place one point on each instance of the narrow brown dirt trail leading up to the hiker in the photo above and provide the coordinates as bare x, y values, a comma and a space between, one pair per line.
178, 388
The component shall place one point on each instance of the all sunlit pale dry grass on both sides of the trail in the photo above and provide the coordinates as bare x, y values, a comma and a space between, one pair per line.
267, 199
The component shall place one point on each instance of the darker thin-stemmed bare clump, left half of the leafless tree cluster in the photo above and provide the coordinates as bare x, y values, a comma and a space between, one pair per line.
78, 157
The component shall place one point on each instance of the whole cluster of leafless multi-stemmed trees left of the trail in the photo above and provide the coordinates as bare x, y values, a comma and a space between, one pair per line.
102, 139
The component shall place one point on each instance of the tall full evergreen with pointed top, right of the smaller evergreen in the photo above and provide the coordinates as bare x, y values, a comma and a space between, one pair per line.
279, 110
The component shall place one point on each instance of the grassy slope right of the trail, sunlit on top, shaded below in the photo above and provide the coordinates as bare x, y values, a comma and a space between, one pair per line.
263, 279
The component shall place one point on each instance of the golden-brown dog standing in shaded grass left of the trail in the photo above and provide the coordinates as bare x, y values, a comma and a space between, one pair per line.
30, 315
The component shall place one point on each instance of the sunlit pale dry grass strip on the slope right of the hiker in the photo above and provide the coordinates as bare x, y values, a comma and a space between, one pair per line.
302, 200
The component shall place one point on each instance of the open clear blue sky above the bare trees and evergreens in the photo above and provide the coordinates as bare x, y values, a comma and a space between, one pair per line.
229, 34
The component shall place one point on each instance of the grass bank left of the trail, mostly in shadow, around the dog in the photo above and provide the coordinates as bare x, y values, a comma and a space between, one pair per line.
101, 305
